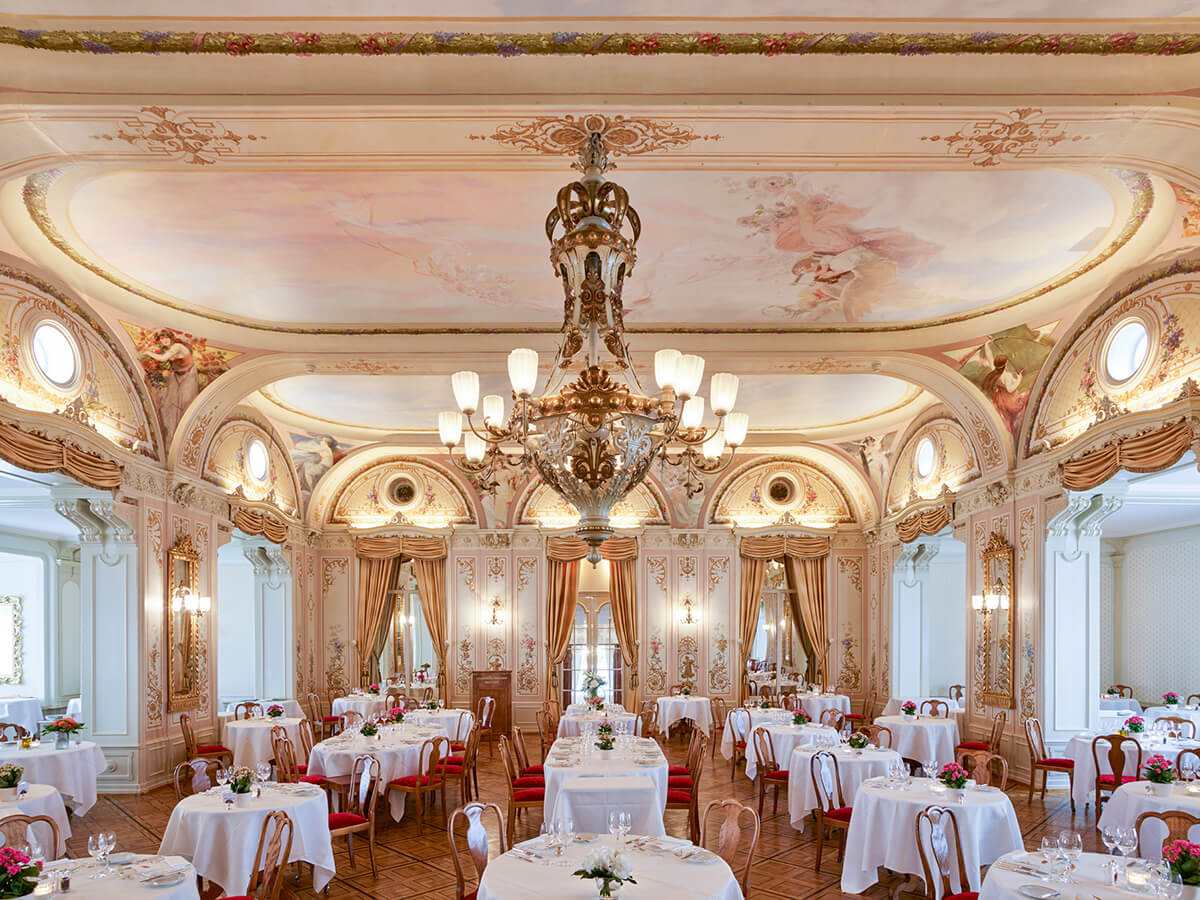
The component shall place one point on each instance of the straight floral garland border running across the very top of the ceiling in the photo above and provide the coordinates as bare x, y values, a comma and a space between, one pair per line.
577, 44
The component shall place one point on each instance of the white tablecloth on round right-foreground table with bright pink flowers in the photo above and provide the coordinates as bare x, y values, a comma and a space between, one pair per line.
883, 832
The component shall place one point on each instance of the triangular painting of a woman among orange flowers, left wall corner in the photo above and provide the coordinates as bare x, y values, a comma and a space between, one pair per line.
178, 367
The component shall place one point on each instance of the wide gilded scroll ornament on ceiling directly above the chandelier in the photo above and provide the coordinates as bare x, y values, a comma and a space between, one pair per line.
623, 136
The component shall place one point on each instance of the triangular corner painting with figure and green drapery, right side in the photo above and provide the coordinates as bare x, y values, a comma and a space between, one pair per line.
1006, 367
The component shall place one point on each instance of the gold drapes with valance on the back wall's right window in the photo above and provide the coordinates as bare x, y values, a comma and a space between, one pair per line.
805, 562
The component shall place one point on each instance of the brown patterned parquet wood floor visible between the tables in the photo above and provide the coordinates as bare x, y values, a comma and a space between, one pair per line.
413, 867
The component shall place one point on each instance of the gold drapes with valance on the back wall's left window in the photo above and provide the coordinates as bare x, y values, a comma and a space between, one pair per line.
386, 556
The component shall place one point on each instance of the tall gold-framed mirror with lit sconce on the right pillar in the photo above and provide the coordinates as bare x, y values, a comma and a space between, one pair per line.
999, 611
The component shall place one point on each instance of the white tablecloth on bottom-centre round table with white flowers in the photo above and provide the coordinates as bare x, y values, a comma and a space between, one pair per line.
659, 875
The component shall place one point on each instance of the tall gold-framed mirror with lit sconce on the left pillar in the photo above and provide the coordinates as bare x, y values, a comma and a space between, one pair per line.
182, 613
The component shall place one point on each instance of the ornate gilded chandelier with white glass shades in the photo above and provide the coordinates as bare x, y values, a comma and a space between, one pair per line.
595, 433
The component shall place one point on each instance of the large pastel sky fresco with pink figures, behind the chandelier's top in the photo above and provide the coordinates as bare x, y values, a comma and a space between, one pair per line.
453, 248
